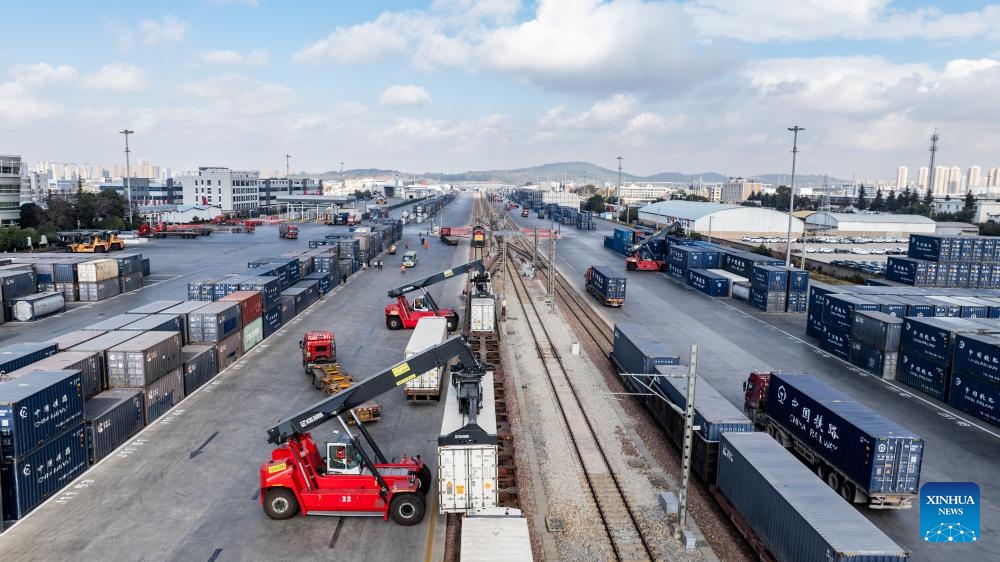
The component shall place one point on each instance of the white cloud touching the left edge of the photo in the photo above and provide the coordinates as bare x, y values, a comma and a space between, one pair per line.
19, 100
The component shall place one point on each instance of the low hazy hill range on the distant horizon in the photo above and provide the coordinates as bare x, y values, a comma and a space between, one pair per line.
575, 172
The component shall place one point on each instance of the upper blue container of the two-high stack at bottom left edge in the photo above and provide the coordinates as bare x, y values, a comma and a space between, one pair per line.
36, 407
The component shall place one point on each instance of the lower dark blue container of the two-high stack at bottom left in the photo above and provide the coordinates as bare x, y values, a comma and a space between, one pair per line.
33, 478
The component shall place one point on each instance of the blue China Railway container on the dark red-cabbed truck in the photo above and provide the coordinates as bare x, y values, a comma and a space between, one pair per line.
879, 456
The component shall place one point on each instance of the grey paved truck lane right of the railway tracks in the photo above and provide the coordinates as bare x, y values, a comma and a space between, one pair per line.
735, 339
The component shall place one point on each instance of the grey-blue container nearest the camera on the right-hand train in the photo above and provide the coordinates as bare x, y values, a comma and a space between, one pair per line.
795, 514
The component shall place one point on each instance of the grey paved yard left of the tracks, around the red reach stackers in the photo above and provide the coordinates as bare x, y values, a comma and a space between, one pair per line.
187, 488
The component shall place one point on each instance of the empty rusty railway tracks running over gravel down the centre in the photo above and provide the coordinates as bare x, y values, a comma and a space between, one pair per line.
624, 535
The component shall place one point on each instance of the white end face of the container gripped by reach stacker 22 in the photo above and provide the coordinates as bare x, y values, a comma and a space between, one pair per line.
467, 477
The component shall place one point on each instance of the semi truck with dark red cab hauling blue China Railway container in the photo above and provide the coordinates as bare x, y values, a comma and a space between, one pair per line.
866, 457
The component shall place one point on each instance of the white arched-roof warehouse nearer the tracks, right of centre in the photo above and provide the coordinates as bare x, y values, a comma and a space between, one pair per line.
718, 219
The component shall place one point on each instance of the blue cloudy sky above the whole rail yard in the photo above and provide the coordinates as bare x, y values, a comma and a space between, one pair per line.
457, 85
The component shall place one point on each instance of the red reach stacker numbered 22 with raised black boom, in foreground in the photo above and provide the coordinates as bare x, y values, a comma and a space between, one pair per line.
343, 478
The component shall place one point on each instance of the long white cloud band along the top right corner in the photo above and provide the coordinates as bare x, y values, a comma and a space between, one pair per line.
763, 21
